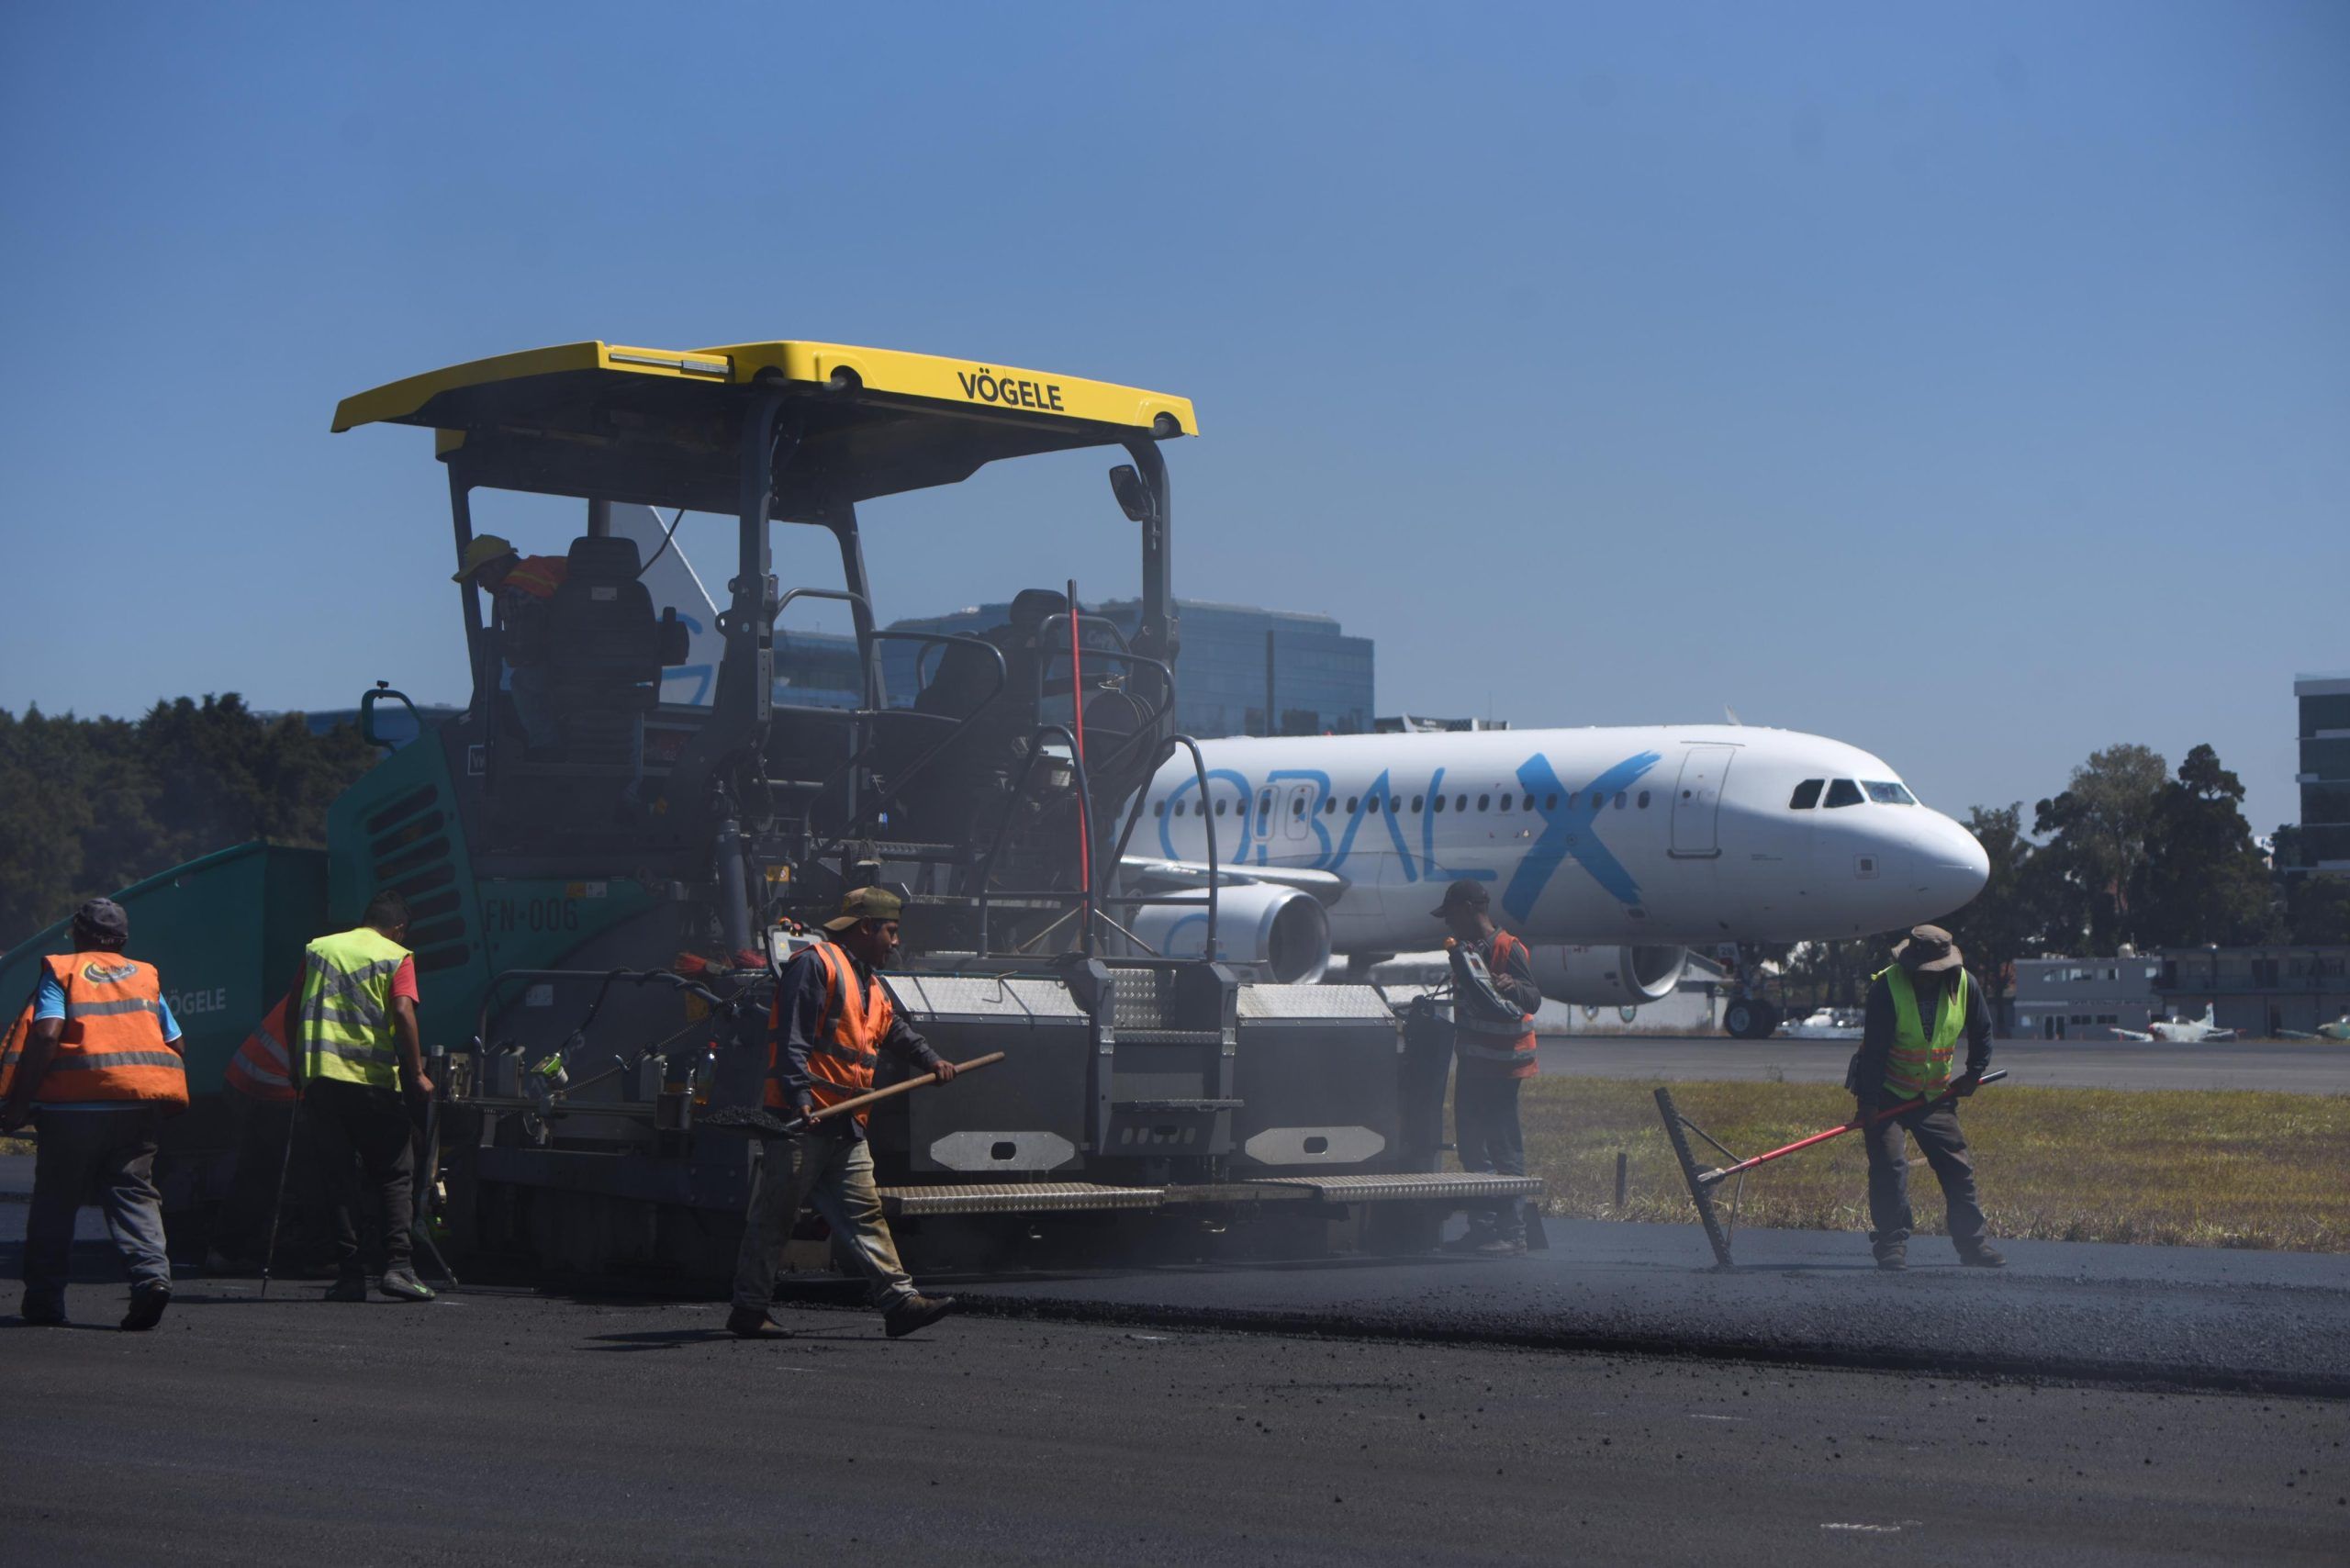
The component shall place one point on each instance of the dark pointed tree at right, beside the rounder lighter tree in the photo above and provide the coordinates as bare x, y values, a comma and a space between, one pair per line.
2205, 880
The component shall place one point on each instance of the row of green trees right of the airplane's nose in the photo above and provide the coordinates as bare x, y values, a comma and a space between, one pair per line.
2128, 852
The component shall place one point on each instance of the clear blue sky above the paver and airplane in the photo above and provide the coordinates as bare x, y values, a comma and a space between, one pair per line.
1963, 382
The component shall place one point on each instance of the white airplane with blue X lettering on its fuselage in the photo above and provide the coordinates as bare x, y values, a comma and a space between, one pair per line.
1609, 850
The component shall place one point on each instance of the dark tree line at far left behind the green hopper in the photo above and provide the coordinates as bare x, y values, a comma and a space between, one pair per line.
95, 805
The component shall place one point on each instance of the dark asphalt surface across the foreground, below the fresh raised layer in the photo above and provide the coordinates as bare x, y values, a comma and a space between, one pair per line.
502, 1428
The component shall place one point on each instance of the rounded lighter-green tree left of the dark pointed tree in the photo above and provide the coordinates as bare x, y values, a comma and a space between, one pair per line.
2095, 852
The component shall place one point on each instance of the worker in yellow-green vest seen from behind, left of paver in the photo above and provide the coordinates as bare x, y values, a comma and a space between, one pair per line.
358, 1064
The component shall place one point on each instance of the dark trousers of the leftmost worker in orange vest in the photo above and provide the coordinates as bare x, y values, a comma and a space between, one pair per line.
107, 1155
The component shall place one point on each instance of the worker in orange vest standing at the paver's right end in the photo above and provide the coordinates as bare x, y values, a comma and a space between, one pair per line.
1496, 1052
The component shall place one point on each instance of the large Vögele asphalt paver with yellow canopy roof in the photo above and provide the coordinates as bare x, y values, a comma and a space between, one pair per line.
568, 890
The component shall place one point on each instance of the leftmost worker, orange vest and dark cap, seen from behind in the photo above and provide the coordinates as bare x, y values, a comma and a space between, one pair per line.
100, 1071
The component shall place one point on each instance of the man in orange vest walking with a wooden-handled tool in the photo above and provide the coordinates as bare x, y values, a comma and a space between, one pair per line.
828, 1028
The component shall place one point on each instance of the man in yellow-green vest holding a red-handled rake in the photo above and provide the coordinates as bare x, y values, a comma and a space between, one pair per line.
1919, 1007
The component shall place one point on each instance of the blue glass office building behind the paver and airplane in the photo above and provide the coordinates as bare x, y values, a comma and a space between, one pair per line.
1237, 666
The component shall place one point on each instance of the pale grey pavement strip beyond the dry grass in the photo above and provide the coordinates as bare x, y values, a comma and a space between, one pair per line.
2048, 1064
